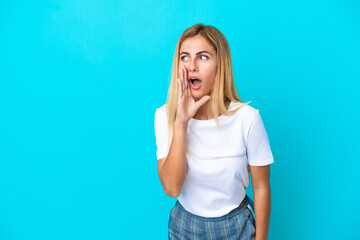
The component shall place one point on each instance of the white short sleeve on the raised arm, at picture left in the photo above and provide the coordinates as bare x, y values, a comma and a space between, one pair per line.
161, 133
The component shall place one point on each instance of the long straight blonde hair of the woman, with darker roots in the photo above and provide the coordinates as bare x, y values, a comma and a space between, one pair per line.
224, 86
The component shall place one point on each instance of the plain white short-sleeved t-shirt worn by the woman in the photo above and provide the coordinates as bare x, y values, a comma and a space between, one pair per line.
218, 170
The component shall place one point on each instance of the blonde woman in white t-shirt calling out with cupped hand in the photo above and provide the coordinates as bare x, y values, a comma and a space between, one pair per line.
207, 142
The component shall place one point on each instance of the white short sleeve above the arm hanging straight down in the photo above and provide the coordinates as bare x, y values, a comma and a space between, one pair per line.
257, 143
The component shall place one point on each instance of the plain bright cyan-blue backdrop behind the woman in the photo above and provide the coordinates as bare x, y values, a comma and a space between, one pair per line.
80, 82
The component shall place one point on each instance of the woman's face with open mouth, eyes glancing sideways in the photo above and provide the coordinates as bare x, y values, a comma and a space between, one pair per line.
200, 60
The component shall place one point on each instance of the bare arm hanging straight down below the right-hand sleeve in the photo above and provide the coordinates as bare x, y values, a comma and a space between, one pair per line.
260, 176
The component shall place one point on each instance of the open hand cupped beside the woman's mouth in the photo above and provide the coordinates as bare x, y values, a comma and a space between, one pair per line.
186, 105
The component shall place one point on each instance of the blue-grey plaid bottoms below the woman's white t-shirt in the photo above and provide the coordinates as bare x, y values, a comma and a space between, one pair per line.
237, 224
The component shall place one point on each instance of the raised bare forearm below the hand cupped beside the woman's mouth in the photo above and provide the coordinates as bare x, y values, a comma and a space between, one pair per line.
174, 169
